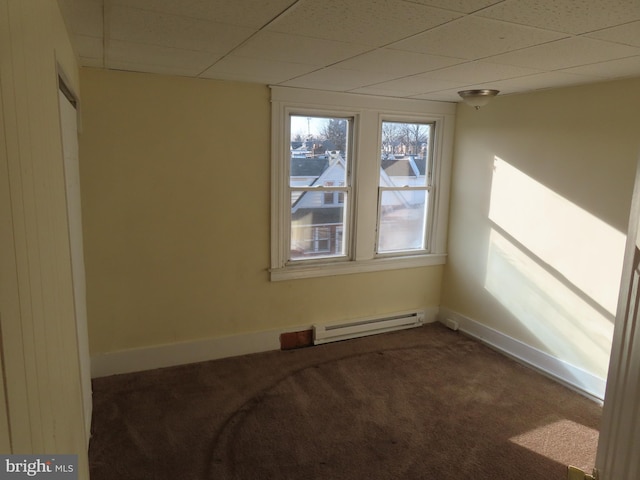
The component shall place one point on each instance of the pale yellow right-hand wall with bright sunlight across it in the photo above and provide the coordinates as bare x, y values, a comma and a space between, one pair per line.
541, 191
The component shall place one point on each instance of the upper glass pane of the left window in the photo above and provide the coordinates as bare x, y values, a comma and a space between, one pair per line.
319, 150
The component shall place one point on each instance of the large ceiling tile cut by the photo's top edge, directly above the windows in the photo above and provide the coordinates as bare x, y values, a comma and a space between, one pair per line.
368, 22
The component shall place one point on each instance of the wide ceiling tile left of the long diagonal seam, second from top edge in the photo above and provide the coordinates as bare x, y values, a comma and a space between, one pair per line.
140, 26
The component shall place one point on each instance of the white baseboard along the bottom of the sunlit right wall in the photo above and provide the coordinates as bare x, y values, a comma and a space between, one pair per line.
573, 377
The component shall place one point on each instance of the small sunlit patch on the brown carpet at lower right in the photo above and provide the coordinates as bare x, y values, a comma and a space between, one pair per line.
561, 441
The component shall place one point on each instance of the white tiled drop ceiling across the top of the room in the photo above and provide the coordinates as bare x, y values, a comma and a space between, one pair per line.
425, 49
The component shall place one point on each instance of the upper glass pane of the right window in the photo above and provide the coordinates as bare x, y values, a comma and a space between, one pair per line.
405, 154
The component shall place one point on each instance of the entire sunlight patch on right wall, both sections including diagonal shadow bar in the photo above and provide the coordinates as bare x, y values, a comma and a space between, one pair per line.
554, 266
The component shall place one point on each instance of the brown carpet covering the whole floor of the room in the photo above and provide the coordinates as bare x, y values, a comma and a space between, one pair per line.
422, 403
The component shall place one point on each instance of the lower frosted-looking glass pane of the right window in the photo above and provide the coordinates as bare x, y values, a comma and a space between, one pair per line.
402, 220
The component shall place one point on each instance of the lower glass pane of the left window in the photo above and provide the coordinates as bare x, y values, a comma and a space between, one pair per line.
317, 226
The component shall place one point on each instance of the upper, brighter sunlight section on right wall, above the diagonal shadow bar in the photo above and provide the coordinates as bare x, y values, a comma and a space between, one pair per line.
585, 250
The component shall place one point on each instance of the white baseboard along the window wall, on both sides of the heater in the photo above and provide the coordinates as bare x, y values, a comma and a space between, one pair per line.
160, 356
